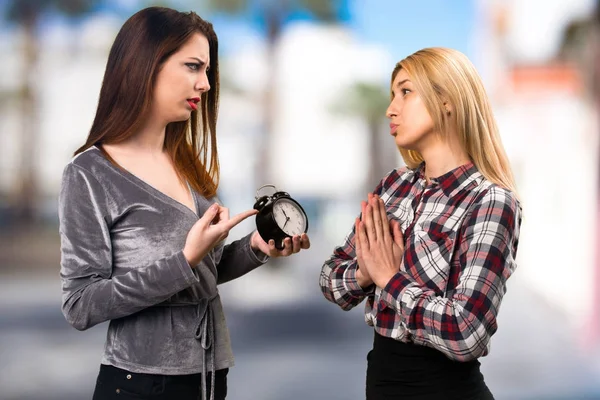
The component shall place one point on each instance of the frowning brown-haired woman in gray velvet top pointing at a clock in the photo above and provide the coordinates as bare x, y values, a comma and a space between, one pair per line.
141, 231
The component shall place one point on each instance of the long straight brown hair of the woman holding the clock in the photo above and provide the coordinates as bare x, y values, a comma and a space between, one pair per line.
146, 40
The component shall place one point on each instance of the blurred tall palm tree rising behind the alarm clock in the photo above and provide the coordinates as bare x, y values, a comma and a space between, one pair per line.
274, 14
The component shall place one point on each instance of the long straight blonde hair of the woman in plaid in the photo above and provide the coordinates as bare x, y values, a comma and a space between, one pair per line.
444, 75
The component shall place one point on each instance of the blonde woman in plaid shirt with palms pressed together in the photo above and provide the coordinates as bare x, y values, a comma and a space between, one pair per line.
436, 241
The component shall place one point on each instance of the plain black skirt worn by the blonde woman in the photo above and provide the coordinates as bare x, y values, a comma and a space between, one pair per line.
397, 370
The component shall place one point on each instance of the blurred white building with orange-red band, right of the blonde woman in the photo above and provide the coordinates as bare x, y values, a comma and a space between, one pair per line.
549, 127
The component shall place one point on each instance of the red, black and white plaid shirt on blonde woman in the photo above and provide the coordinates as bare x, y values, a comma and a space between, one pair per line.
461, 236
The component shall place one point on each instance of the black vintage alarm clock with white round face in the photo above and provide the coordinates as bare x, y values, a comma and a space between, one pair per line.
279, 216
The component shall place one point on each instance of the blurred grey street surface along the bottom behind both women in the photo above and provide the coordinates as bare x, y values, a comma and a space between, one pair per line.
300, 348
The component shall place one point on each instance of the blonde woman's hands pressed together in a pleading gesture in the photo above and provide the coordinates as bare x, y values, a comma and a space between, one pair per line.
379, 244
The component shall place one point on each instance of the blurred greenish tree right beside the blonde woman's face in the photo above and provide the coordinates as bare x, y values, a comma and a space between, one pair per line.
369, 102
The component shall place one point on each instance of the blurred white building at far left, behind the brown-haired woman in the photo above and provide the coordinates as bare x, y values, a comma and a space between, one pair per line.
66, 85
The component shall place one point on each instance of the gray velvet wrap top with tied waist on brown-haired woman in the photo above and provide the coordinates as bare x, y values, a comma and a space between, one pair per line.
122, 260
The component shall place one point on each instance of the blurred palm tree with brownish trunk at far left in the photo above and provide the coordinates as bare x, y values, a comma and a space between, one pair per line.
27, 14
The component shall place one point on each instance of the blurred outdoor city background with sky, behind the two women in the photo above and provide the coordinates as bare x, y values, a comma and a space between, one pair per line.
304, 92
